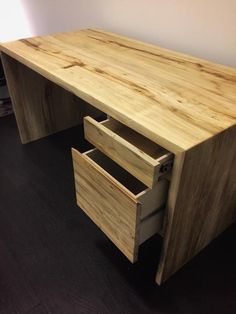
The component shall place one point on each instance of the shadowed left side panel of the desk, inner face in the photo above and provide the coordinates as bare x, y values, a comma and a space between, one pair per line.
41, 107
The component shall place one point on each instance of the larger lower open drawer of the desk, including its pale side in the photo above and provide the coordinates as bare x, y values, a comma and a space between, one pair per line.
122, 207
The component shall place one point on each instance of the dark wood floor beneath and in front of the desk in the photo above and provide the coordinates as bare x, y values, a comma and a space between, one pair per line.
53, 259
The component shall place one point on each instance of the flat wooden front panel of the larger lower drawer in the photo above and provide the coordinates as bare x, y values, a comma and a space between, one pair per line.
113, 210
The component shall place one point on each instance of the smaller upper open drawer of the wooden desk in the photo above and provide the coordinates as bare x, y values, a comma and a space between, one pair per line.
143, 158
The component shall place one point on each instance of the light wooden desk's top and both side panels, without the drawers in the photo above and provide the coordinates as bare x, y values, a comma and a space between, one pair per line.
185, 105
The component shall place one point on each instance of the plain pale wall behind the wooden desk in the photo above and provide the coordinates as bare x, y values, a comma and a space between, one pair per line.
205, 28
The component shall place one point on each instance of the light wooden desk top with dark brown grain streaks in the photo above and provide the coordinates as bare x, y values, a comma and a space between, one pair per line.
176, 100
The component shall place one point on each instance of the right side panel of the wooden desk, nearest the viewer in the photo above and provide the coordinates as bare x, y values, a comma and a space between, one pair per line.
202, 200
